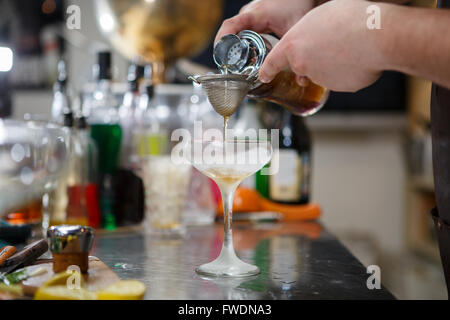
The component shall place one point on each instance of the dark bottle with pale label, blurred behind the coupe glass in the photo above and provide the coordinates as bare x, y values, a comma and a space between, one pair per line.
291, 164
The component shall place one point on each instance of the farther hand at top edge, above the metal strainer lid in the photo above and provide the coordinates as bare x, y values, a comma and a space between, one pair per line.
264, 16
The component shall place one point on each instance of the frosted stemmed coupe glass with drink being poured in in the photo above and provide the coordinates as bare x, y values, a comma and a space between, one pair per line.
228, 164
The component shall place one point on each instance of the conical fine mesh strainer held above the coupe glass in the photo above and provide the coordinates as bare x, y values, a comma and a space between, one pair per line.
225, 92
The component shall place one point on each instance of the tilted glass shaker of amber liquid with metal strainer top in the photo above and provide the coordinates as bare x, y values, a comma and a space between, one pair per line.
244, 54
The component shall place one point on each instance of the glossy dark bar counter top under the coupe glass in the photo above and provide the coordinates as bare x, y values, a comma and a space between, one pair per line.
300, 260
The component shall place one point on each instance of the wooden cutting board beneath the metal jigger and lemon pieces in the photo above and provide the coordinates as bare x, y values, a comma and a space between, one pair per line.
99, 276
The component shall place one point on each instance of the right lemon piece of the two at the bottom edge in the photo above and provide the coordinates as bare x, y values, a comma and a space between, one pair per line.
123, 290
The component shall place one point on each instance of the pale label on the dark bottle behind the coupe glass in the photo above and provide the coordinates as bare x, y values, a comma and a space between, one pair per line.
285, 185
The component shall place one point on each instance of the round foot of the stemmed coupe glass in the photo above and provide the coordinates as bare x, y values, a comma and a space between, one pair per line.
227, 265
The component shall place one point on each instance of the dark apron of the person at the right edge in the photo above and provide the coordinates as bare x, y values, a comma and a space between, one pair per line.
440, 132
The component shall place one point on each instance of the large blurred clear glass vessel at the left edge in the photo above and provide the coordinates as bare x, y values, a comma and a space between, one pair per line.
32, 156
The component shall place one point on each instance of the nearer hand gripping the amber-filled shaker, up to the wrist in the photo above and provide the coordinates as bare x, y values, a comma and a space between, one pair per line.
332, 46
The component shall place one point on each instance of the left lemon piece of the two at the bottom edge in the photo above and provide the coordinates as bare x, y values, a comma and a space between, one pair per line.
63, 293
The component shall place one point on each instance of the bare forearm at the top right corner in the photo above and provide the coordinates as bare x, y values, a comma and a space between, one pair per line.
416, 41
